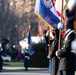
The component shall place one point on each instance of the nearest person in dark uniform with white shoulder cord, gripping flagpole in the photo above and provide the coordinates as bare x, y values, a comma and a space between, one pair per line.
67, 56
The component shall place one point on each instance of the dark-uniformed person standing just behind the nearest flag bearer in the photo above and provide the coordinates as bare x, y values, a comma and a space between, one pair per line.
54, 48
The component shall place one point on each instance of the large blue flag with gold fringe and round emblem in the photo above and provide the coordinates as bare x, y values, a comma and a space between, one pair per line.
45, 10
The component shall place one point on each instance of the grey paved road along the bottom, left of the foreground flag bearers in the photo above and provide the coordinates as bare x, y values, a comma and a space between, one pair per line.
24, 73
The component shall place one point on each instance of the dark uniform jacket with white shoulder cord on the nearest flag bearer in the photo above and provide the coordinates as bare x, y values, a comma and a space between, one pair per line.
67, 58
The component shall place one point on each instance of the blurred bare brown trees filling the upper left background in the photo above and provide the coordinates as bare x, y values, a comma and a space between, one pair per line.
15, 17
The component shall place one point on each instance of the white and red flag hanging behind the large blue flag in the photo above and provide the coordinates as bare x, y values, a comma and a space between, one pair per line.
58, 7
